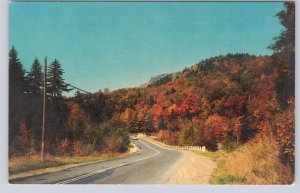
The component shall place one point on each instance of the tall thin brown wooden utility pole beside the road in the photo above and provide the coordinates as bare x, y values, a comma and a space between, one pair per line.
44, 113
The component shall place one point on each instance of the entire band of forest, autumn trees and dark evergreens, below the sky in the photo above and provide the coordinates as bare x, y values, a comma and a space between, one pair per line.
222, 101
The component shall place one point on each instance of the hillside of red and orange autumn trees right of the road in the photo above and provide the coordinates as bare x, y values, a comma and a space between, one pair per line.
226, 99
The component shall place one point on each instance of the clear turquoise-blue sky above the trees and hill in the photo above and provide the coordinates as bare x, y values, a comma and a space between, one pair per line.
118, 45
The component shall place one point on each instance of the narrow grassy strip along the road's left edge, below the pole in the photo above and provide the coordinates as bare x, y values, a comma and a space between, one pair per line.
26, 166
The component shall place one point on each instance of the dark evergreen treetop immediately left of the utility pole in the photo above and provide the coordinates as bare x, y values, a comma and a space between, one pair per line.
35, 78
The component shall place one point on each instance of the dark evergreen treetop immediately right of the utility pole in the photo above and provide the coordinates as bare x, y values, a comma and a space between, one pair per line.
55, 83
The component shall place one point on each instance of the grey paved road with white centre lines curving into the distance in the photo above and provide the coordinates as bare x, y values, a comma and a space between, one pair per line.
153, 165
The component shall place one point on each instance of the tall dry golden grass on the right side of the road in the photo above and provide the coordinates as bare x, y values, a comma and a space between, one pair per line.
256, 162
